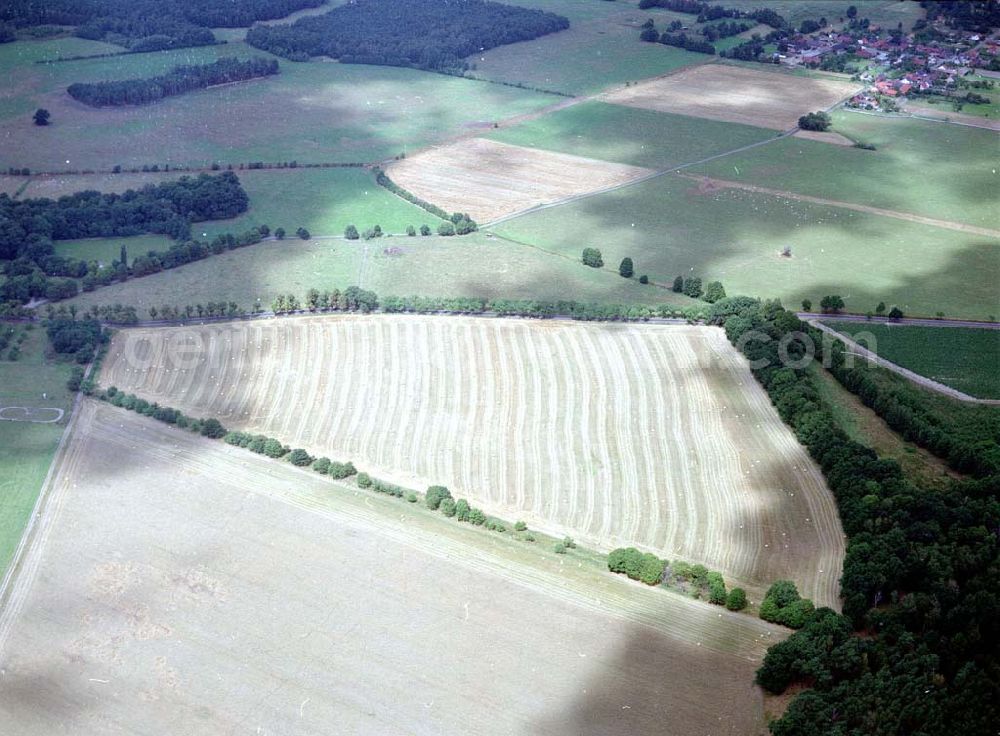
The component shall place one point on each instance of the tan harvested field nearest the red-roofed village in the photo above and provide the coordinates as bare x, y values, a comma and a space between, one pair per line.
736, 95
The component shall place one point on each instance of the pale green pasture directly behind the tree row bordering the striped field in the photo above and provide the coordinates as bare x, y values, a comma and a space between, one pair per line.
474, 265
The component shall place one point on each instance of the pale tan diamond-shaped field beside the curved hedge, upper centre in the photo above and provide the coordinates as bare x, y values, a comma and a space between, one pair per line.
489, 179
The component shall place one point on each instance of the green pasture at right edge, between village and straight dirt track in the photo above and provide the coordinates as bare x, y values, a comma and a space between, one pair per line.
948, 172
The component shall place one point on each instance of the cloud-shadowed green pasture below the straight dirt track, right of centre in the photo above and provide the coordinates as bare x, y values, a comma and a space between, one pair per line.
673, 225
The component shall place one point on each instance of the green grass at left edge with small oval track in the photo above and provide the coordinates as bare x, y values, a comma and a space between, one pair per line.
26, 449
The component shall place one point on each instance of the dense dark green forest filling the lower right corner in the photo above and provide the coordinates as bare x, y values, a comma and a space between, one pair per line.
916, 649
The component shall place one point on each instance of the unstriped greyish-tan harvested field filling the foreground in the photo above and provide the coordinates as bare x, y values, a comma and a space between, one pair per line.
175, 580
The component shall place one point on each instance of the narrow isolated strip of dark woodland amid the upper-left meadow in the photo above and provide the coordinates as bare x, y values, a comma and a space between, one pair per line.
178, 80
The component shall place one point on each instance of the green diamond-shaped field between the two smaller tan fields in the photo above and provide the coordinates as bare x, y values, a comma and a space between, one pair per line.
630, 135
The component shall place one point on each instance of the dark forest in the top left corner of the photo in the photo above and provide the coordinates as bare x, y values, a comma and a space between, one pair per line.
148, 25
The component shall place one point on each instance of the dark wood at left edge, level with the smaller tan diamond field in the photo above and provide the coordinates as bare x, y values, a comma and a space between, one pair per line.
28, 227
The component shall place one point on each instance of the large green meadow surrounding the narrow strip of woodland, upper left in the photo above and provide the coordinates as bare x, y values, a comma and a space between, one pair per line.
308, 112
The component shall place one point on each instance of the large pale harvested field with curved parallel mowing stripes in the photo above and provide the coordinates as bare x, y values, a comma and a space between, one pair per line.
616, 434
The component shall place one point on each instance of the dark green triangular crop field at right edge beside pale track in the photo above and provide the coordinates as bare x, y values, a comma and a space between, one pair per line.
965, 359
